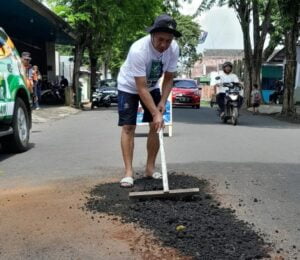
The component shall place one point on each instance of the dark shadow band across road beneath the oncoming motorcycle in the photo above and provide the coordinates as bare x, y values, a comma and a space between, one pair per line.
209, 116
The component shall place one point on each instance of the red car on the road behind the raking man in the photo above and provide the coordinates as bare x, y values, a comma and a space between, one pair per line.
185, 92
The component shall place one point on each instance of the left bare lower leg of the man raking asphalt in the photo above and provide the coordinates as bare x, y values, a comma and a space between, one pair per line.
127, 145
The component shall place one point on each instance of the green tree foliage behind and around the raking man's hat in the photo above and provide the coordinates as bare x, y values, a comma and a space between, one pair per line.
107, 28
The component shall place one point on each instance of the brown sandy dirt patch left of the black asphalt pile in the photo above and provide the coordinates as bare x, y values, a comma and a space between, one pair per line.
48, 223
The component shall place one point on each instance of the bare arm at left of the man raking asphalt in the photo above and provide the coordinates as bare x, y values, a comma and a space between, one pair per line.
141, 85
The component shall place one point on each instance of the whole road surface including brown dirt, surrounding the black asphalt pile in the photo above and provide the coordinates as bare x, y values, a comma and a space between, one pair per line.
252, 170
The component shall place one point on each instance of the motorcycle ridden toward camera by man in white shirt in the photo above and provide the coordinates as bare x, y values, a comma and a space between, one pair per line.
232, 102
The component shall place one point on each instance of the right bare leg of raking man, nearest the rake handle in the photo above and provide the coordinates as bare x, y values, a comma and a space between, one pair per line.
152, 149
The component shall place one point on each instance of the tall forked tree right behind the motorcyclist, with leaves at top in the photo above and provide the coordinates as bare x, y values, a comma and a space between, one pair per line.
259, 13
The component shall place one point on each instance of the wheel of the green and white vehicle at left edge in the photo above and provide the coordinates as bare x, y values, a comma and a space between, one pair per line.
19, 140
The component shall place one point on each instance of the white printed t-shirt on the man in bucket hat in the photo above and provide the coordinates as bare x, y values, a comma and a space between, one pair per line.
144, 60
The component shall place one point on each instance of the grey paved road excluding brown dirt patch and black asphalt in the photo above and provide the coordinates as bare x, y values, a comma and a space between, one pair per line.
258, 159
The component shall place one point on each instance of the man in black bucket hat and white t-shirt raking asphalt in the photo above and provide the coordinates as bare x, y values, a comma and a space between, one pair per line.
149, 59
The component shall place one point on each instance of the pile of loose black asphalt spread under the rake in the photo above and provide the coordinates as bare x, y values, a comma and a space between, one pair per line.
196, 226
